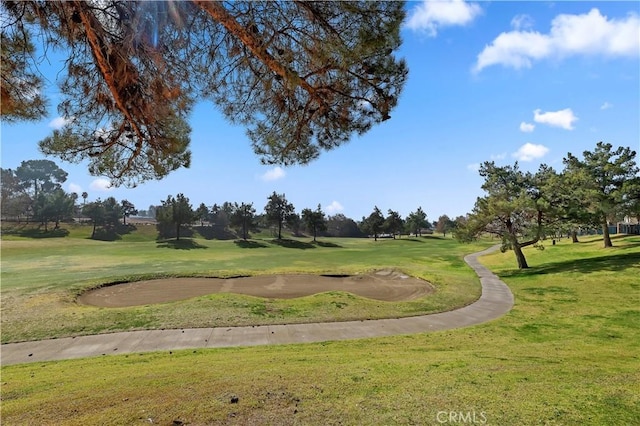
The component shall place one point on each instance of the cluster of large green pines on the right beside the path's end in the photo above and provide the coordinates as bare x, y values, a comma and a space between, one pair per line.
523, 208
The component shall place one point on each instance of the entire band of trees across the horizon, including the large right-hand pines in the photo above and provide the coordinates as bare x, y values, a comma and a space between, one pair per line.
521, 208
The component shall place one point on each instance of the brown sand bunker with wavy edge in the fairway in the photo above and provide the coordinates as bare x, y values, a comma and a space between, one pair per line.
381, 285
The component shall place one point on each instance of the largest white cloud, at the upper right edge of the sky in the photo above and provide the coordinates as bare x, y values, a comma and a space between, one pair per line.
570, 35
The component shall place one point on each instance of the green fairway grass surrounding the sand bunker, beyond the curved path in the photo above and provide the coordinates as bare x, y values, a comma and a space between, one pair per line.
41, 278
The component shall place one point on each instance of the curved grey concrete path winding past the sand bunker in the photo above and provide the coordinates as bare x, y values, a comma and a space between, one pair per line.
495, 301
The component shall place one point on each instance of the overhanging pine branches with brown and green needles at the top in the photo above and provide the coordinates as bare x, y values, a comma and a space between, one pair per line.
302, 77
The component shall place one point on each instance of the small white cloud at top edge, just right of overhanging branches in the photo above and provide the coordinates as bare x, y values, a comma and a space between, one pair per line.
431, 15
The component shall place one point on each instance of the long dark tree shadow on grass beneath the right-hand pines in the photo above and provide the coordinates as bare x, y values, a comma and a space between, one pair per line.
616, 262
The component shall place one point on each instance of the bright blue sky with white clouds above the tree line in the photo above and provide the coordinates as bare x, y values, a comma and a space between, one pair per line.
502, 81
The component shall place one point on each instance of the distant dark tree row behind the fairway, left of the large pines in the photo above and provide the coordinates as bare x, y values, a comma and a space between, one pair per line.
33, 193
